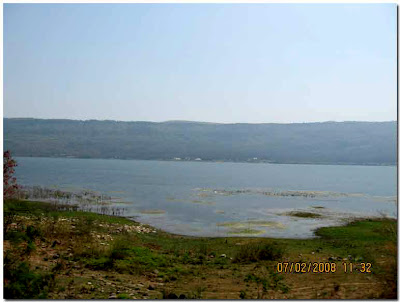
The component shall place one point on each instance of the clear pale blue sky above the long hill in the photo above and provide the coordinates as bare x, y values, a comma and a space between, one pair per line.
225, 63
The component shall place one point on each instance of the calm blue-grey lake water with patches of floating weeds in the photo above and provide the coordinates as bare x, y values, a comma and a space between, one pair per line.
225, 199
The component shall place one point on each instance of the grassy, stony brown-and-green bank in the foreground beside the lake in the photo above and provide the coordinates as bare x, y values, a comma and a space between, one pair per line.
60, 253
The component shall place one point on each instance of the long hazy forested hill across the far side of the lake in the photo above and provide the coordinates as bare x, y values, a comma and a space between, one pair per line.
329, 142
